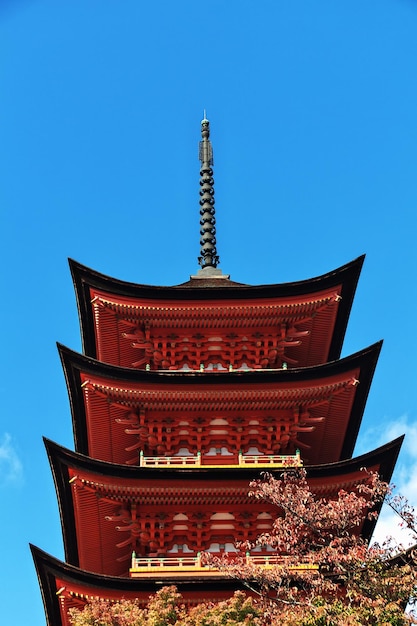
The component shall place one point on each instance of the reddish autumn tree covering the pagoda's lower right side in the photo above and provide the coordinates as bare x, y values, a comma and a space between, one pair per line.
327, 573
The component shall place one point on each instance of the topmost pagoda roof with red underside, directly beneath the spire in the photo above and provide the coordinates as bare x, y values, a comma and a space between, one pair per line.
318, 307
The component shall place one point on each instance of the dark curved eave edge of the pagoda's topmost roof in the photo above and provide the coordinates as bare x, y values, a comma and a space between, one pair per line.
84, 279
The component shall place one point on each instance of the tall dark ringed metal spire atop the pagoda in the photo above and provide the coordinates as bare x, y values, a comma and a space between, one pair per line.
208, 250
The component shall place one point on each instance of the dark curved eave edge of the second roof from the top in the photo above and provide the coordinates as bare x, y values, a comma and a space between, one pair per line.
74, 364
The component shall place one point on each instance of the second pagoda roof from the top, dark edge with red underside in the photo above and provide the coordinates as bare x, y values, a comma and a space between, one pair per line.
330, 398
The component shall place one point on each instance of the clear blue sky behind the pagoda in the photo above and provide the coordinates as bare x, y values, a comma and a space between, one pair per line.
314, 128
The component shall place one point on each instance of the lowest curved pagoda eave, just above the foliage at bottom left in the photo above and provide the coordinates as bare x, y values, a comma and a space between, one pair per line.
53, 574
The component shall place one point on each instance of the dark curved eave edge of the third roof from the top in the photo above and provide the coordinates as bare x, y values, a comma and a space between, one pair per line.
63, 461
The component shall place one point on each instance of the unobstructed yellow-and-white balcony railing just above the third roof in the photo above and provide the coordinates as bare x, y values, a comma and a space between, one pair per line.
247, 460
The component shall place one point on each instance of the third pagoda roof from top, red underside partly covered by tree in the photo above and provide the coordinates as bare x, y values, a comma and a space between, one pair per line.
90, 494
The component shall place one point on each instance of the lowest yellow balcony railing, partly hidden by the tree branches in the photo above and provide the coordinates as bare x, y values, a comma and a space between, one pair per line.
185, 566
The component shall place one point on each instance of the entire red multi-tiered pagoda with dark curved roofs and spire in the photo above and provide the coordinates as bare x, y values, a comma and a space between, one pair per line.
181, 397
